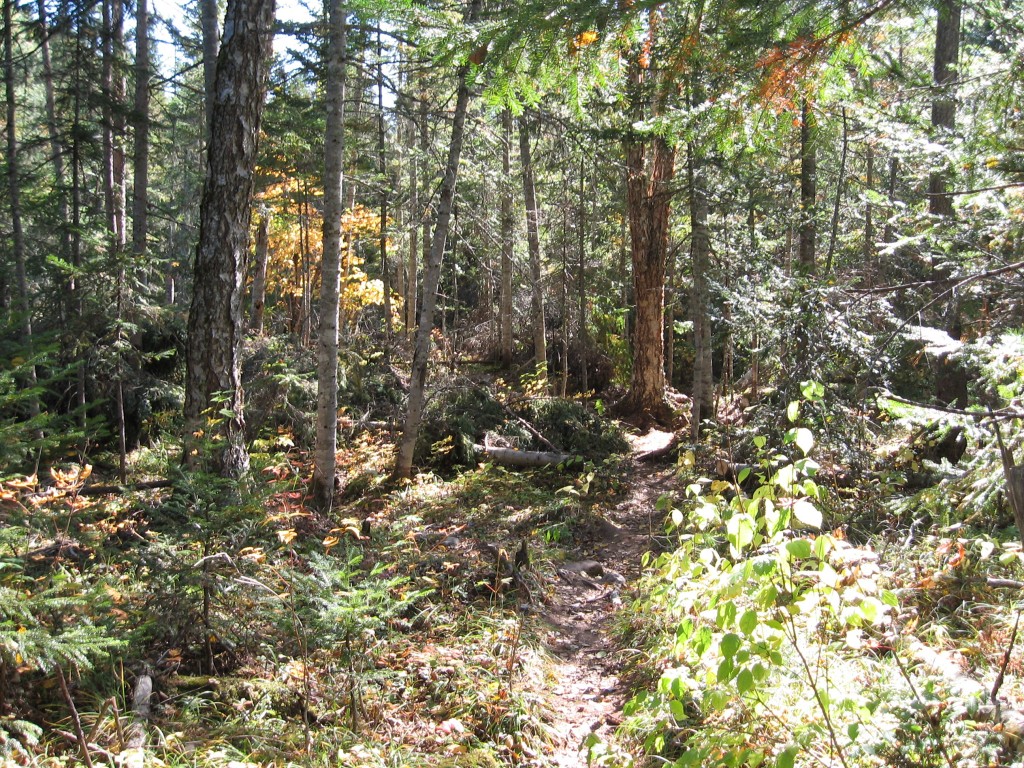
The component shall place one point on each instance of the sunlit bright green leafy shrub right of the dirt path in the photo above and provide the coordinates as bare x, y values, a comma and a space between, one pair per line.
776, 642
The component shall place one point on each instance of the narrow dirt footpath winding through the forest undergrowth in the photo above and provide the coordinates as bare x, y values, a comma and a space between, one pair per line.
587, 695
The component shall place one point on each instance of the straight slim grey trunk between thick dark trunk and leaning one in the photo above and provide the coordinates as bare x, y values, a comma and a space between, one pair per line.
325, 460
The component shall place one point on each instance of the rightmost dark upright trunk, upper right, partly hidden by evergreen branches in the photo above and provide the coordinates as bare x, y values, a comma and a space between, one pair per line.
941, 203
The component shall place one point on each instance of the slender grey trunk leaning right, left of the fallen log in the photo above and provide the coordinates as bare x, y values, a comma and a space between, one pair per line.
433, 272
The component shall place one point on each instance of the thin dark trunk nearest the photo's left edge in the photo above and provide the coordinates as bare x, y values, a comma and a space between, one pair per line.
23, 304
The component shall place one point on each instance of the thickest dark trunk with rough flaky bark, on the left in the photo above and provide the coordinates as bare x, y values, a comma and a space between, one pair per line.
216, 327
